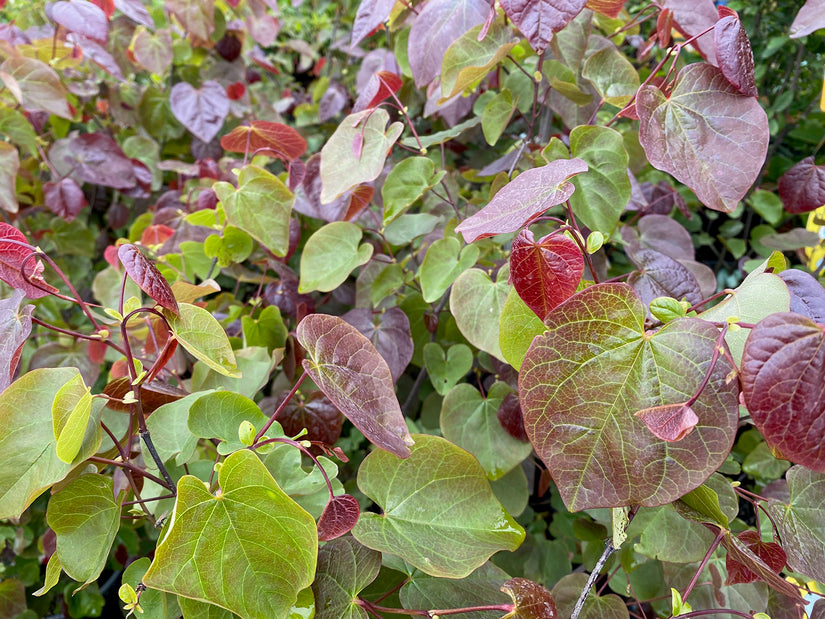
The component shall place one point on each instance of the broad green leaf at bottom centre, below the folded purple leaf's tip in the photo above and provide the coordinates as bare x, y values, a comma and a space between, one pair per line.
439, 514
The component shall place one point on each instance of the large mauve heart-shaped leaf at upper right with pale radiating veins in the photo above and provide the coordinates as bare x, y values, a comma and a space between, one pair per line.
706, 134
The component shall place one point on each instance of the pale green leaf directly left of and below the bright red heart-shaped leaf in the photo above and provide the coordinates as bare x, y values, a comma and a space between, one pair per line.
476, 303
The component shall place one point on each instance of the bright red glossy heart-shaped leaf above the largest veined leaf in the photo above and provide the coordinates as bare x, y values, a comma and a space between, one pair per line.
547, 272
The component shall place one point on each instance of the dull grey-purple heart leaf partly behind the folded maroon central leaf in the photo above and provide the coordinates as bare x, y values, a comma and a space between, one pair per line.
389, 332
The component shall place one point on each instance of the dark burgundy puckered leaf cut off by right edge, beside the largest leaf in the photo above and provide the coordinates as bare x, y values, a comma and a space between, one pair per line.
783, 383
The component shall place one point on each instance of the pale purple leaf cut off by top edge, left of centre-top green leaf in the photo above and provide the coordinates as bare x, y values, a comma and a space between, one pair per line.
435, 28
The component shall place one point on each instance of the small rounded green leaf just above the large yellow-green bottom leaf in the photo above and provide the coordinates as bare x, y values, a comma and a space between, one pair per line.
220, 414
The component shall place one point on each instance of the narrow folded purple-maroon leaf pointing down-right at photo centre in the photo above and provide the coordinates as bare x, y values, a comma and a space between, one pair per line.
353, 375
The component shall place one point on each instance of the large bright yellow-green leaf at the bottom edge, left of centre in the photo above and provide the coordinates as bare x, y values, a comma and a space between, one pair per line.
273, 543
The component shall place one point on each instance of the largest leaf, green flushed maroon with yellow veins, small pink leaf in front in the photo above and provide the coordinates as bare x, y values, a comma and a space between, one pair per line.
579, 395
